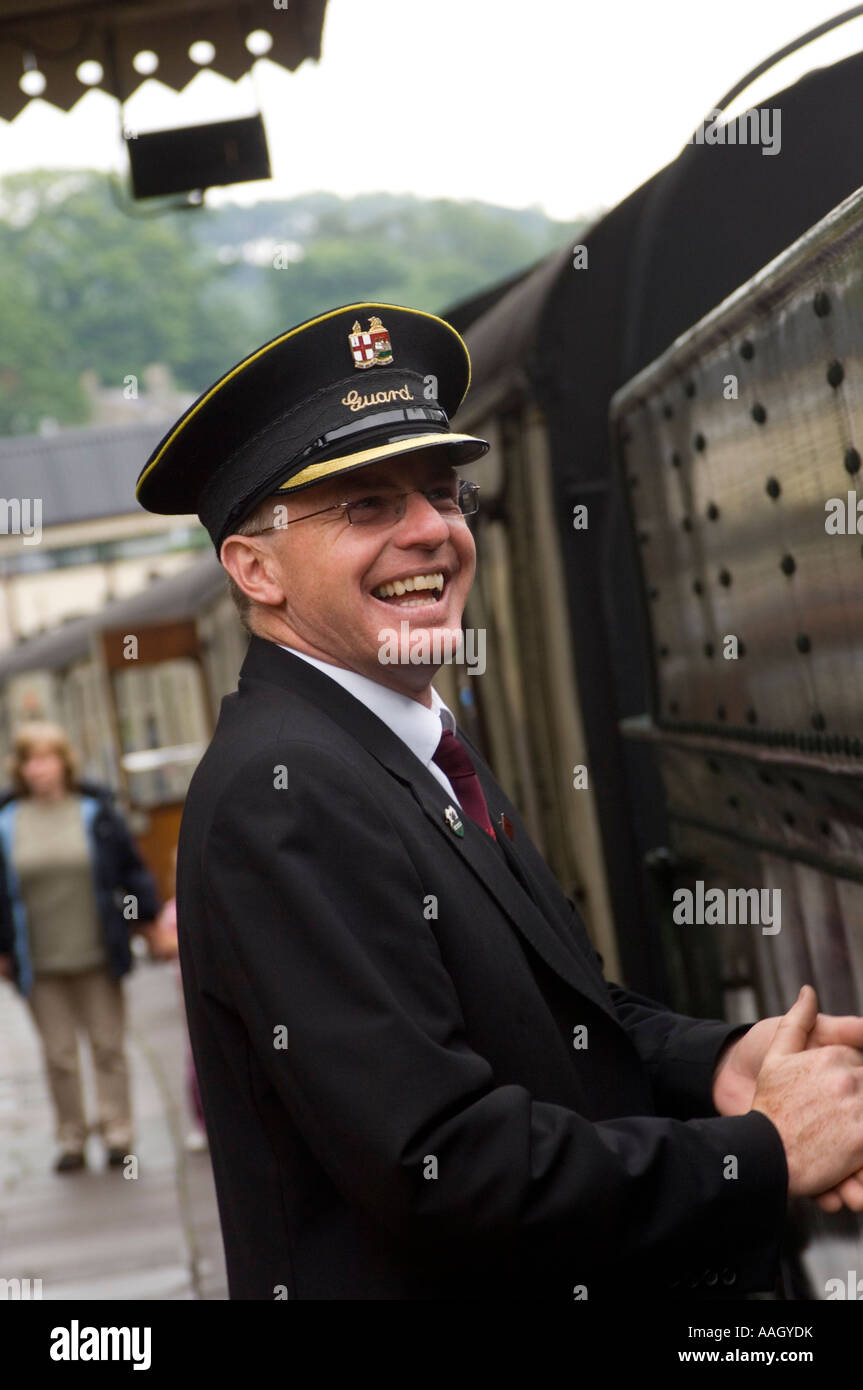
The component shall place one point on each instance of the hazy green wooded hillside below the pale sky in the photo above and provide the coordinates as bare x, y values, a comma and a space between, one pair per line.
88, 287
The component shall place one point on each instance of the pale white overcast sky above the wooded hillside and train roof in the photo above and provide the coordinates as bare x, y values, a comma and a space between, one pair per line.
552, 104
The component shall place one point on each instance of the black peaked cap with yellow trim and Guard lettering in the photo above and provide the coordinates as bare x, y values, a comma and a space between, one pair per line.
348, 389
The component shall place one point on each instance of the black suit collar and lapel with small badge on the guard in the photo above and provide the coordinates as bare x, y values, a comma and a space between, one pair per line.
504, 875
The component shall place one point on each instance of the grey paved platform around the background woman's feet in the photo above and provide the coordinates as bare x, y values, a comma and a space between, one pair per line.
97, 1235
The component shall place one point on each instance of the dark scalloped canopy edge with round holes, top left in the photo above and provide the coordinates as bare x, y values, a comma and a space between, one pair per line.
63, 48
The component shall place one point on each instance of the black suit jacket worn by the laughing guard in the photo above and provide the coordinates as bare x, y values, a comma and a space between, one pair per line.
383, 1017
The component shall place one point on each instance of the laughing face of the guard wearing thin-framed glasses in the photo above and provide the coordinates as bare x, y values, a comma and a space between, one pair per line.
358, 571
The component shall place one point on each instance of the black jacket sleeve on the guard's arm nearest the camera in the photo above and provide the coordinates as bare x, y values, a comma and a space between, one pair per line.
316, 926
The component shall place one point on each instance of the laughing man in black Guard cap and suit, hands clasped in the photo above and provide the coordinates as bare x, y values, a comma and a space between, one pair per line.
416, 1081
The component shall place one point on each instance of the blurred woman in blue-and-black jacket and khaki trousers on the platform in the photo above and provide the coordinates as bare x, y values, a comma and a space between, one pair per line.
73, 888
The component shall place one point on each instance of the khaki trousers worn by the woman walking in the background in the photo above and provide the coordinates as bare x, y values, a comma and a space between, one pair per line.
91, 1001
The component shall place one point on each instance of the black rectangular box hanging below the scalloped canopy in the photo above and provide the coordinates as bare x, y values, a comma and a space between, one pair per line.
198, 156
